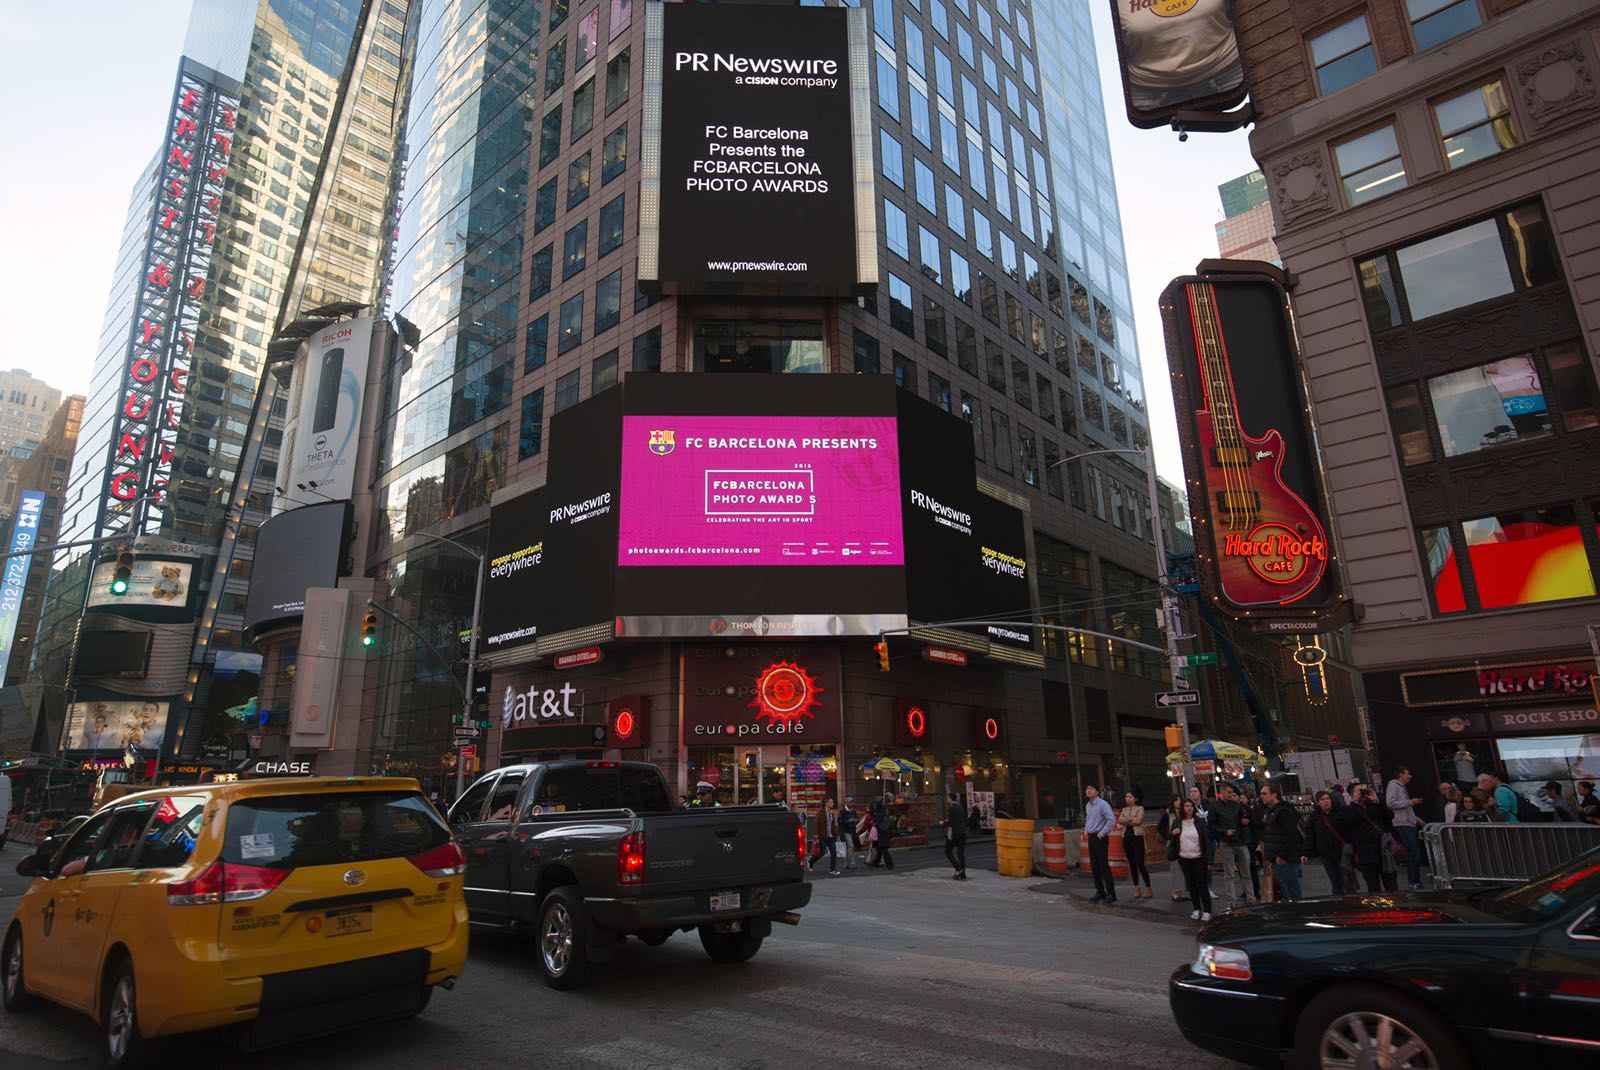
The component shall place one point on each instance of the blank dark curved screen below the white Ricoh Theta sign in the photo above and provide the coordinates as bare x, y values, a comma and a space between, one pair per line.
295, 551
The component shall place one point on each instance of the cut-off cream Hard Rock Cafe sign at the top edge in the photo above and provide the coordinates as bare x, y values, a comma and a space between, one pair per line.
1180, 60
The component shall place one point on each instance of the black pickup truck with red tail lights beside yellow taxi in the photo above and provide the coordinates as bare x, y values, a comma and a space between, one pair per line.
588, 853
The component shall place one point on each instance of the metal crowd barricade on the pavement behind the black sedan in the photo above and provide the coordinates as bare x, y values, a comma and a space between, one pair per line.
1486, 853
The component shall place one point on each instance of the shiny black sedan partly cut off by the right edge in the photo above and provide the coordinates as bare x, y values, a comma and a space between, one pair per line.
1425, 981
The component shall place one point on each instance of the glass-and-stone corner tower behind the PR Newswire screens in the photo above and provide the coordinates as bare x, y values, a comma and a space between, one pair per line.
1002, 300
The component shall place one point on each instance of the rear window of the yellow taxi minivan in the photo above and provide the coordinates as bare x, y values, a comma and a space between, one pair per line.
330, 829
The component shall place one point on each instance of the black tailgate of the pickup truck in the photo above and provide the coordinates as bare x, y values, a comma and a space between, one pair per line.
705, 850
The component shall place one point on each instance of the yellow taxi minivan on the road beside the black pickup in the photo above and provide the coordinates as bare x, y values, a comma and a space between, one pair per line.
292, 908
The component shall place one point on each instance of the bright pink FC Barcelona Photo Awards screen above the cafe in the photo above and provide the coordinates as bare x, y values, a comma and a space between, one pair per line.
770, 490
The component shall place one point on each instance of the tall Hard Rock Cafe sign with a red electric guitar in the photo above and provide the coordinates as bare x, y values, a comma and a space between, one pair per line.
1262, 543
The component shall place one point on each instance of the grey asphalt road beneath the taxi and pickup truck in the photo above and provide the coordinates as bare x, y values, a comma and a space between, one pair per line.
897, 970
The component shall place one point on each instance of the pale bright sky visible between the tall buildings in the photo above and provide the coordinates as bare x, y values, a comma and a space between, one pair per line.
79, 143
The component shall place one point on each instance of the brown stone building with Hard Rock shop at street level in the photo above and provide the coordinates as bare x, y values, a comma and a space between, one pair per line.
1433, 177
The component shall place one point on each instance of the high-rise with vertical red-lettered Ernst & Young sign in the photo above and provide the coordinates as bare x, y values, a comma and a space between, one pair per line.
268, 194
